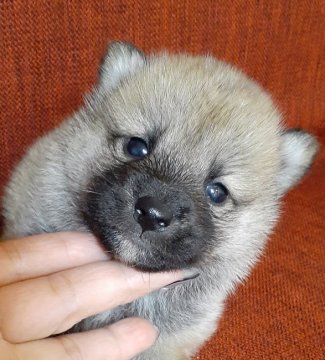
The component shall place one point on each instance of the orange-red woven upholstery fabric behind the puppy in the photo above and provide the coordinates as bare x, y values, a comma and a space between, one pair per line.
49, 54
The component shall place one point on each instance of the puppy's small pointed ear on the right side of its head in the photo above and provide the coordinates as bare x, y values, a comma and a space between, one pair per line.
298, 149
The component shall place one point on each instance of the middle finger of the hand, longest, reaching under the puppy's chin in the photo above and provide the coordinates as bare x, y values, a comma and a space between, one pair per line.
41, 307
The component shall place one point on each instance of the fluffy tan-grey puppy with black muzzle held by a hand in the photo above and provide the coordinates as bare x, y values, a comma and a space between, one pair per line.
173, 162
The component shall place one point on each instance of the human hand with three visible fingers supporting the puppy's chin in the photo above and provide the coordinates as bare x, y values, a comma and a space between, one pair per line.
48, 283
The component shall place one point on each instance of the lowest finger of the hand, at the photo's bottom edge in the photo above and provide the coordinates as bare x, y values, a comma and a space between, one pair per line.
120, 341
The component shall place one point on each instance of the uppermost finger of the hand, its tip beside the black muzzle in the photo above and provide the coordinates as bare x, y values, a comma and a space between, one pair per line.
46, 253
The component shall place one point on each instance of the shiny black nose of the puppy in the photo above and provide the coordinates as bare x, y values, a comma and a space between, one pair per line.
152, 214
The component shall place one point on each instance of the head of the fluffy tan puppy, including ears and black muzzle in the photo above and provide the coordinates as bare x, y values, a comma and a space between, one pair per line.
190, 163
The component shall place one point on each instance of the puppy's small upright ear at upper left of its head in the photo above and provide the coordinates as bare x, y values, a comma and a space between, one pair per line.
120, 60
